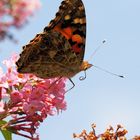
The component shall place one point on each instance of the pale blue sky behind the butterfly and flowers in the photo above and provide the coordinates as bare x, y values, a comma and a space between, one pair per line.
101, 98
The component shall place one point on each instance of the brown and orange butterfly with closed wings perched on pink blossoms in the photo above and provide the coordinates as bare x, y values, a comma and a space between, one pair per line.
59, 50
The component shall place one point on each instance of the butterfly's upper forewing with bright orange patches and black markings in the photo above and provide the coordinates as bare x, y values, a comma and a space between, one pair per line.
70, 20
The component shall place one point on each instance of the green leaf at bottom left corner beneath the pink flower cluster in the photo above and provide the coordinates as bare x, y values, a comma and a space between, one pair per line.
6, 134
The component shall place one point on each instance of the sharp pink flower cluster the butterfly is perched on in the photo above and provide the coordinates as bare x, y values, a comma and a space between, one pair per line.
28, 99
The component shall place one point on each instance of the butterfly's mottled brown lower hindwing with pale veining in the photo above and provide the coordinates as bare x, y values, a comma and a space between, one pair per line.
49, 55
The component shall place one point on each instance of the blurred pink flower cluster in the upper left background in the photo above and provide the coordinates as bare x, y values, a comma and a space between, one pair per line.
15, 13
